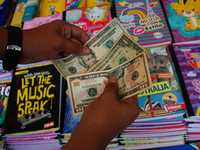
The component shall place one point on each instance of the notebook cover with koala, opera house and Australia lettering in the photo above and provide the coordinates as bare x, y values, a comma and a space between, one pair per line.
165, 97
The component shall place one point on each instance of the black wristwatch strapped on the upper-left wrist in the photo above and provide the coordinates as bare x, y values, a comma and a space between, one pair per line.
14, 44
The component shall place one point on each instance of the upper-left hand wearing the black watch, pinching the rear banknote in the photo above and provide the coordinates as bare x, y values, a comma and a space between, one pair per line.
52, 41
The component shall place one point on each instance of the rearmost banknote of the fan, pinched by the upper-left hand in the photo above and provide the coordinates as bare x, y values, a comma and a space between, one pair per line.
99, 44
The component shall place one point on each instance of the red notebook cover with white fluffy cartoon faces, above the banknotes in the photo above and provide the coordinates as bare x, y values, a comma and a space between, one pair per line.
90, 19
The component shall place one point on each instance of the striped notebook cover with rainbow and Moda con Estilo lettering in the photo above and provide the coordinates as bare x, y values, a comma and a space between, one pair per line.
145, 21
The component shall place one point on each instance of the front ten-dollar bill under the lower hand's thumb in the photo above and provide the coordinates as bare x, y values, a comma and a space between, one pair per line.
133, 77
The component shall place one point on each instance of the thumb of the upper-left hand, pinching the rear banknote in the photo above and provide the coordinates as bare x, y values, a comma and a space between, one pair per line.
75, 48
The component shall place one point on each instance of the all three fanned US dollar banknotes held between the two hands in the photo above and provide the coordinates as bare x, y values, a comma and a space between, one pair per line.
113, 53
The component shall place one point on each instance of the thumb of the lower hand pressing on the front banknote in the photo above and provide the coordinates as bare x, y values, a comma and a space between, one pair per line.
112, 85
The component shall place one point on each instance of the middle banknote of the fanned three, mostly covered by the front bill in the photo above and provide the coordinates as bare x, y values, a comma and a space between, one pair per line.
123, 50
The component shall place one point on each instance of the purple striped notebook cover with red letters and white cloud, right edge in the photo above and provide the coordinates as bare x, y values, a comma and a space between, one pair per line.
188, 56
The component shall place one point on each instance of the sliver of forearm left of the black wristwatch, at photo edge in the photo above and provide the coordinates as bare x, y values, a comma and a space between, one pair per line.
3, 41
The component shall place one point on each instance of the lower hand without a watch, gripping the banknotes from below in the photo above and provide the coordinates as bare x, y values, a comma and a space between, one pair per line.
104, 119
